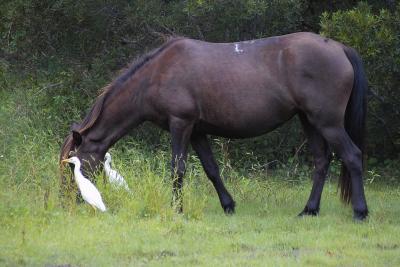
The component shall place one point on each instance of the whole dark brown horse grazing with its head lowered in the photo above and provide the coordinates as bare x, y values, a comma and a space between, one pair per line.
238, 90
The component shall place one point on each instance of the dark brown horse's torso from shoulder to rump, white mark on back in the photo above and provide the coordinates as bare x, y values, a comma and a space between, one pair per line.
248, 88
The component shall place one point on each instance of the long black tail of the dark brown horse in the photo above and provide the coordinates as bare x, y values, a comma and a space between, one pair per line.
355, 116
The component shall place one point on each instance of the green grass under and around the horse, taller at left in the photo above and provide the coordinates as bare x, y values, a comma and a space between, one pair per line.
141, 229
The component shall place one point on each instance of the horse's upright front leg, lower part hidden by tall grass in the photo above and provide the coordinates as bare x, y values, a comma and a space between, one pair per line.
181, 131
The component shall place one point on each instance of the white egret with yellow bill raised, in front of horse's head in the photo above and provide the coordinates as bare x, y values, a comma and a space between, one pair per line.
88, 191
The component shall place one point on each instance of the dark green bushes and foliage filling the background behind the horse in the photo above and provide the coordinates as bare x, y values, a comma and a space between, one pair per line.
57, 54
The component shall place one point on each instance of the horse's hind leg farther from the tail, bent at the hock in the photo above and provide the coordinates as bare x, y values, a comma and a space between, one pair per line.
322, 158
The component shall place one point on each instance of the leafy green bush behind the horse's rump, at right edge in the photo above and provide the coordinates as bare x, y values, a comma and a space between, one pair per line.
377, 38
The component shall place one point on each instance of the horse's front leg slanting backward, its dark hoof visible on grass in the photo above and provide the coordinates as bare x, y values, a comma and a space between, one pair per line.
202, 147
